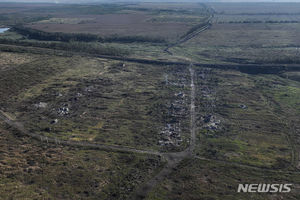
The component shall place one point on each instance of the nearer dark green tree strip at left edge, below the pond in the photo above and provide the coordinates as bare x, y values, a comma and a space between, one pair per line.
81, 47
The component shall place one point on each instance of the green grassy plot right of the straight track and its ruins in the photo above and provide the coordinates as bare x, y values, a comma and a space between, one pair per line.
257, 135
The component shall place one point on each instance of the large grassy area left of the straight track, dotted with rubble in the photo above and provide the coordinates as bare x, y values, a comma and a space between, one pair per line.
129, 101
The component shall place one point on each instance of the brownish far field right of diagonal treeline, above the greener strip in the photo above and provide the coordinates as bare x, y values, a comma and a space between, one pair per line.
250, 35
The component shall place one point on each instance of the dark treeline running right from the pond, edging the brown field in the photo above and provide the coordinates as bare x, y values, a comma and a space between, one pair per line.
80, 37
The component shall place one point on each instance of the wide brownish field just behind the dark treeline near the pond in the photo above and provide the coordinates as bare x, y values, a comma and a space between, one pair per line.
121, 24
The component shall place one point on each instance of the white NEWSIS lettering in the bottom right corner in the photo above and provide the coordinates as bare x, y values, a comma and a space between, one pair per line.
265, 188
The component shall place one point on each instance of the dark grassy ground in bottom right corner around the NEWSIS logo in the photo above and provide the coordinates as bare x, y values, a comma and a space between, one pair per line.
196, 179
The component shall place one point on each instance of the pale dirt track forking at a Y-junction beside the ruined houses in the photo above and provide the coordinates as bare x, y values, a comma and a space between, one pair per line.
172, 159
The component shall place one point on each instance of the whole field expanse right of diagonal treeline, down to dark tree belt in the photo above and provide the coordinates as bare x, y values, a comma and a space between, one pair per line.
243, 43
